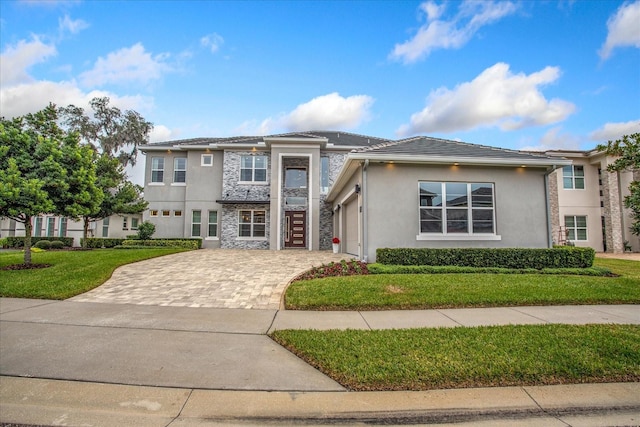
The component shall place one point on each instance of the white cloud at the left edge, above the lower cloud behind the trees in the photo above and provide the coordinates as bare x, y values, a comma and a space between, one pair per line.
16, 60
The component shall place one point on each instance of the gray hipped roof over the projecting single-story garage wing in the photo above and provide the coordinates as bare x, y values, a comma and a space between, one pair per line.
436, 147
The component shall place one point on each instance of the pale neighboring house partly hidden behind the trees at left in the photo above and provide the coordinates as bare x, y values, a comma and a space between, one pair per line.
115, 226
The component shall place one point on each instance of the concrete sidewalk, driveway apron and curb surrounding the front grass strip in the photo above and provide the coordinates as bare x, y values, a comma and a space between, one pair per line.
117, 364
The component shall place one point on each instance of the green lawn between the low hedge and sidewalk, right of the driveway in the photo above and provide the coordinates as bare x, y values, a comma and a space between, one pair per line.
423, 291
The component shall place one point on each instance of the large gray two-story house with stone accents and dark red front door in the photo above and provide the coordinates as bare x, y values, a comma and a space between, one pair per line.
298, 190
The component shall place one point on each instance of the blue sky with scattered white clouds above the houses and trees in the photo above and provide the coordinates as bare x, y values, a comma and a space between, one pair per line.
513, 74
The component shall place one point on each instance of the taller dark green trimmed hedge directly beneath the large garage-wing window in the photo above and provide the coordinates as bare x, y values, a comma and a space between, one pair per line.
518, 258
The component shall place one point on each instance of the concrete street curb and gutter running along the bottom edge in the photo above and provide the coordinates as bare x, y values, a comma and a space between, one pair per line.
51, 402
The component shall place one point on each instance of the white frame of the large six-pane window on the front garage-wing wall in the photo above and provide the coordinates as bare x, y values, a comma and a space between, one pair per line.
469, 235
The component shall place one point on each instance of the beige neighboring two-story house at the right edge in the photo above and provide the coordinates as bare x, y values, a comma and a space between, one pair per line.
587, 203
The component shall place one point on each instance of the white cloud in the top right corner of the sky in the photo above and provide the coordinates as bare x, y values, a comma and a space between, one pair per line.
623, 29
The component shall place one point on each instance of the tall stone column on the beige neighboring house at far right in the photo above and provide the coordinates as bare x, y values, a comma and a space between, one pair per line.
612, 210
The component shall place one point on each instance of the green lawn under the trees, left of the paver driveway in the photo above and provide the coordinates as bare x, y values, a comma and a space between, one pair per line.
71, 273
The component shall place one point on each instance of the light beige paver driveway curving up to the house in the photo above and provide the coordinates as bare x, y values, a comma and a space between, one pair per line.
223, 278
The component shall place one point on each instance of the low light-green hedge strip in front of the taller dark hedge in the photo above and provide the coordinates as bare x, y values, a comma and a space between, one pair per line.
449, 269
